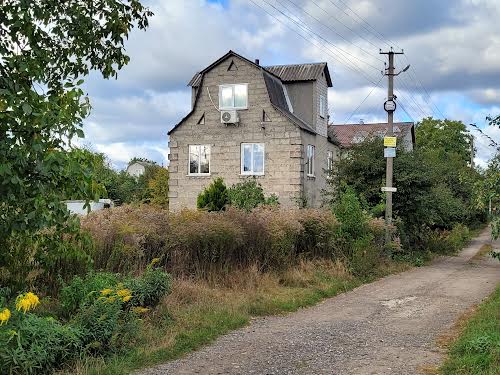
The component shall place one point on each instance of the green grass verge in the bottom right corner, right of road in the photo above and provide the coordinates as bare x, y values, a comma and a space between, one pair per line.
476, 351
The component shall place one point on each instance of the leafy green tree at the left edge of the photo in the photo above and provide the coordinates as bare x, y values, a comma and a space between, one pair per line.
47, 48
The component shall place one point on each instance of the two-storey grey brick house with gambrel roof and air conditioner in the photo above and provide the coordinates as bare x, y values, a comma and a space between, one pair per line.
249, 121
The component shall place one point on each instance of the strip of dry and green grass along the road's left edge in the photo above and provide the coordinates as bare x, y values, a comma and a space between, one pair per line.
196, 312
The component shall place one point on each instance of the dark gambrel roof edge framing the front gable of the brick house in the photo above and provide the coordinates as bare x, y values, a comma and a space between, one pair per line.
274, 87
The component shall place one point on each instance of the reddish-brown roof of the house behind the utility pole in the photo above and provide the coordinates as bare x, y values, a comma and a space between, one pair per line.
350, 134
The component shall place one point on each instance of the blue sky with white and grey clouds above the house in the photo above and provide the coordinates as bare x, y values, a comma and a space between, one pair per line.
453, 47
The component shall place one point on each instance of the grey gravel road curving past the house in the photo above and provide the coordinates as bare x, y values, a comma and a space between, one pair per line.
387, 327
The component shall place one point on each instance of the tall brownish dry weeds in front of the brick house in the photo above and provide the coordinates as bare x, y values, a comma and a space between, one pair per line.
216, 244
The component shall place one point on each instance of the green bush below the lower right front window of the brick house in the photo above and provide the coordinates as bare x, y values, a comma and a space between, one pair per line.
248, 195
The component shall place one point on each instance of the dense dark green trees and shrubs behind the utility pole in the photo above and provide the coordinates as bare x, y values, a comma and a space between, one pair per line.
435, 182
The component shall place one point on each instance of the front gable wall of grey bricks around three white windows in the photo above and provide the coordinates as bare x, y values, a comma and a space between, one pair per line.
282, 139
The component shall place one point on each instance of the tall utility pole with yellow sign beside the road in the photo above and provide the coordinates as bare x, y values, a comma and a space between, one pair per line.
389, 140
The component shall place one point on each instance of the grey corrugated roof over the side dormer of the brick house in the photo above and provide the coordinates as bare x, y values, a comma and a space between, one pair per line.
301, 72
